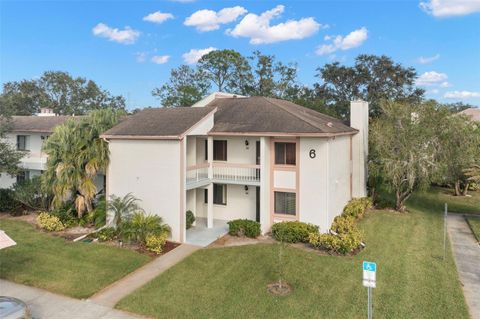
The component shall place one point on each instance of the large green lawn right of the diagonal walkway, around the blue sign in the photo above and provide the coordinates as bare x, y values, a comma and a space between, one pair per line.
412, 280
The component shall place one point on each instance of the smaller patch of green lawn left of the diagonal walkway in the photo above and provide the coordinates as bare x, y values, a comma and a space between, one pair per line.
74, 269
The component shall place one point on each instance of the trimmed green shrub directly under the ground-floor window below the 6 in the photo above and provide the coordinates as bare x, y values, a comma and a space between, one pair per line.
293, 231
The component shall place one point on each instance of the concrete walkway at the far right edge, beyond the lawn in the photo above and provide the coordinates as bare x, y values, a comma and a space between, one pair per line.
467, 257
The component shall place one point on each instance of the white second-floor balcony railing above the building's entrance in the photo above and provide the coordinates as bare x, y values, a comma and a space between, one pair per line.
228, 173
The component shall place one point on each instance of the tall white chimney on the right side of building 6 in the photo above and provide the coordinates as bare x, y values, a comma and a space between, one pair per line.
359, 120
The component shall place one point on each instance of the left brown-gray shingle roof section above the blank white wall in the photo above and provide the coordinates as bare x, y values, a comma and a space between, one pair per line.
158, 122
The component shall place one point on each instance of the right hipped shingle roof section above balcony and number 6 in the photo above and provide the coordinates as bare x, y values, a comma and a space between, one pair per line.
268, 115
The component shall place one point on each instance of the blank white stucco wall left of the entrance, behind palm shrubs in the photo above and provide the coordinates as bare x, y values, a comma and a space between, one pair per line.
150, 170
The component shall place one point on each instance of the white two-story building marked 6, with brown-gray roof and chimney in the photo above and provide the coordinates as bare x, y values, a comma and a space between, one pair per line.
235, 157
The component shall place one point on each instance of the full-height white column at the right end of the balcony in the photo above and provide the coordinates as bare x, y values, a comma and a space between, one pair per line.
265, 184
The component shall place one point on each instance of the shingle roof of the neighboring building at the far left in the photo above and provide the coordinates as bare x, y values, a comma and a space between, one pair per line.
37, 124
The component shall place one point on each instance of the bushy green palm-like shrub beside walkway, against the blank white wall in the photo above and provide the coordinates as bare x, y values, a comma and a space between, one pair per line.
140, 225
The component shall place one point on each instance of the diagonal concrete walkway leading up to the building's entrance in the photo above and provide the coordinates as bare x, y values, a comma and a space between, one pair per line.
112, 294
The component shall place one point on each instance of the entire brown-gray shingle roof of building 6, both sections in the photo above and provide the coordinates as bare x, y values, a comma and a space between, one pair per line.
250, 116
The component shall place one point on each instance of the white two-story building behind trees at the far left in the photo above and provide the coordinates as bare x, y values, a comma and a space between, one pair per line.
28, 133
